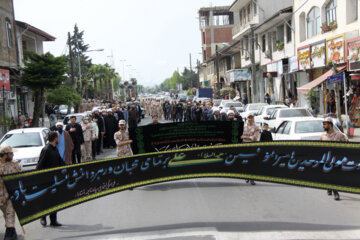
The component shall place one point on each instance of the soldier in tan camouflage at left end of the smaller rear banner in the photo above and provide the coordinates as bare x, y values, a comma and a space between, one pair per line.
123, 141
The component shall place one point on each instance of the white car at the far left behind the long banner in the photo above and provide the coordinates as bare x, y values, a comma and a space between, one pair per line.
27, 144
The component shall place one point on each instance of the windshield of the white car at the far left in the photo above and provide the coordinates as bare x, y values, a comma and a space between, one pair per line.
20, 140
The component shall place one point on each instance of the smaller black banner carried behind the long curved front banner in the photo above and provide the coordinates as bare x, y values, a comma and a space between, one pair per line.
174, 136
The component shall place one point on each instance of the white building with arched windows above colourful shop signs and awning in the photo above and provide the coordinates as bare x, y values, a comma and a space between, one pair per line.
323, 28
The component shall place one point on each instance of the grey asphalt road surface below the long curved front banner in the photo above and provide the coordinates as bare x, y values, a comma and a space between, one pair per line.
207, 209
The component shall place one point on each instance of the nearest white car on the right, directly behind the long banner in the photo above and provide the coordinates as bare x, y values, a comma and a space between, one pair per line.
300, 129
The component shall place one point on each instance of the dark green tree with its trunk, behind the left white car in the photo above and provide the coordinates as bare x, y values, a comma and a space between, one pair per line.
42, 72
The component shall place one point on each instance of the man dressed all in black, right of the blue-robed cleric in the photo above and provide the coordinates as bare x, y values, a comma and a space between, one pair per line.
75, 131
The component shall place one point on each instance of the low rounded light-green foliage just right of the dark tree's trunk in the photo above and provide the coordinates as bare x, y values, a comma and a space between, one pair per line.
62, 95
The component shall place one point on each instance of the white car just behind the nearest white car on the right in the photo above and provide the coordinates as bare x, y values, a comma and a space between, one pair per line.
278, 116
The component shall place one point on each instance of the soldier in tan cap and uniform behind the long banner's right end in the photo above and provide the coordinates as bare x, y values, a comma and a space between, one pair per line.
332, 135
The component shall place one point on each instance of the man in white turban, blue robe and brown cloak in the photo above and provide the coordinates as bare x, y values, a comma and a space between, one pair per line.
65, 145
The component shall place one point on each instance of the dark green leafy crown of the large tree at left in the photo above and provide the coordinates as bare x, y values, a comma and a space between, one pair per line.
43, 71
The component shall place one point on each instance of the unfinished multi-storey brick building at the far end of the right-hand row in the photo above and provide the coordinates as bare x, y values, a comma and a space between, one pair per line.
216, 24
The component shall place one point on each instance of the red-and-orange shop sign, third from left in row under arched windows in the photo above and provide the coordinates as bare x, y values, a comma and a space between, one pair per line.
335, 50
